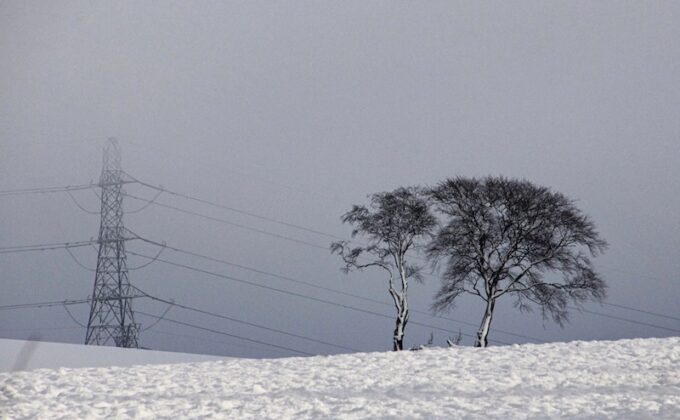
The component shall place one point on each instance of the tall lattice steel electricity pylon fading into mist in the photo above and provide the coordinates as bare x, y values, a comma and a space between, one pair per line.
111, 315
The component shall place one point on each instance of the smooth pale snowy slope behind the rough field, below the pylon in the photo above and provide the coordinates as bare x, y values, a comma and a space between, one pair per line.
26, 355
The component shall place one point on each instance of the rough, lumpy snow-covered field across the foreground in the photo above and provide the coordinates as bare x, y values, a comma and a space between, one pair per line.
621, 379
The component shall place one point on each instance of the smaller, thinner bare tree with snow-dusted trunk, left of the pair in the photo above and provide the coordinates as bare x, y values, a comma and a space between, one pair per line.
392, 225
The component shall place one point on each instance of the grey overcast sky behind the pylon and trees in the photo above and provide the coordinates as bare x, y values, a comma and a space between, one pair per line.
296, 111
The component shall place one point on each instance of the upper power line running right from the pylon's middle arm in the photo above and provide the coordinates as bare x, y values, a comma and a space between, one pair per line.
309, 284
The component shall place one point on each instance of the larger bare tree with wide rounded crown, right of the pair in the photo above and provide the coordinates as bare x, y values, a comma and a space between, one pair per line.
504, 237
